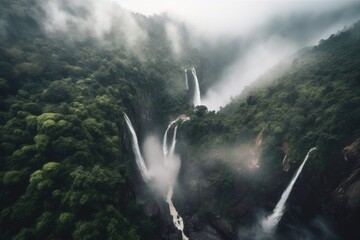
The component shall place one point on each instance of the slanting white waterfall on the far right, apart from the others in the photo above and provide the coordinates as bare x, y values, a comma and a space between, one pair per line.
269, 224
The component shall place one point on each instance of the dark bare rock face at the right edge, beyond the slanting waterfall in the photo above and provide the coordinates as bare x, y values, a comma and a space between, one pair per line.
346, 197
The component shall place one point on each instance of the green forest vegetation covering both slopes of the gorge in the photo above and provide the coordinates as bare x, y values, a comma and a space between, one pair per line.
66, 166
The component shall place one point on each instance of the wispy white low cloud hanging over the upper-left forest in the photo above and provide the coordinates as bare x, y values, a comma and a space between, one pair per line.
104, 21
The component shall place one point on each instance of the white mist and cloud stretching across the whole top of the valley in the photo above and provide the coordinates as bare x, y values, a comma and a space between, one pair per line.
267, 31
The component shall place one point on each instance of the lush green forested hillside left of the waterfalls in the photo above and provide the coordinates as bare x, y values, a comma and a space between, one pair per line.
66, 165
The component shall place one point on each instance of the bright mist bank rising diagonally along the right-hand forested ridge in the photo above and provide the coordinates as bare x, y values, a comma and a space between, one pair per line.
267, 45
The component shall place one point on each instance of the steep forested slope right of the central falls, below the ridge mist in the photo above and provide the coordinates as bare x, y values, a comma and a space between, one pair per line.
313, 102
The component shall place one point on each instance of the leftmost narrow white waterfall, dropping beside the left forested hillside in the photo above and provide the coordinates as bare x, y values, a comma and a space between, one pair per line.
135, 146
